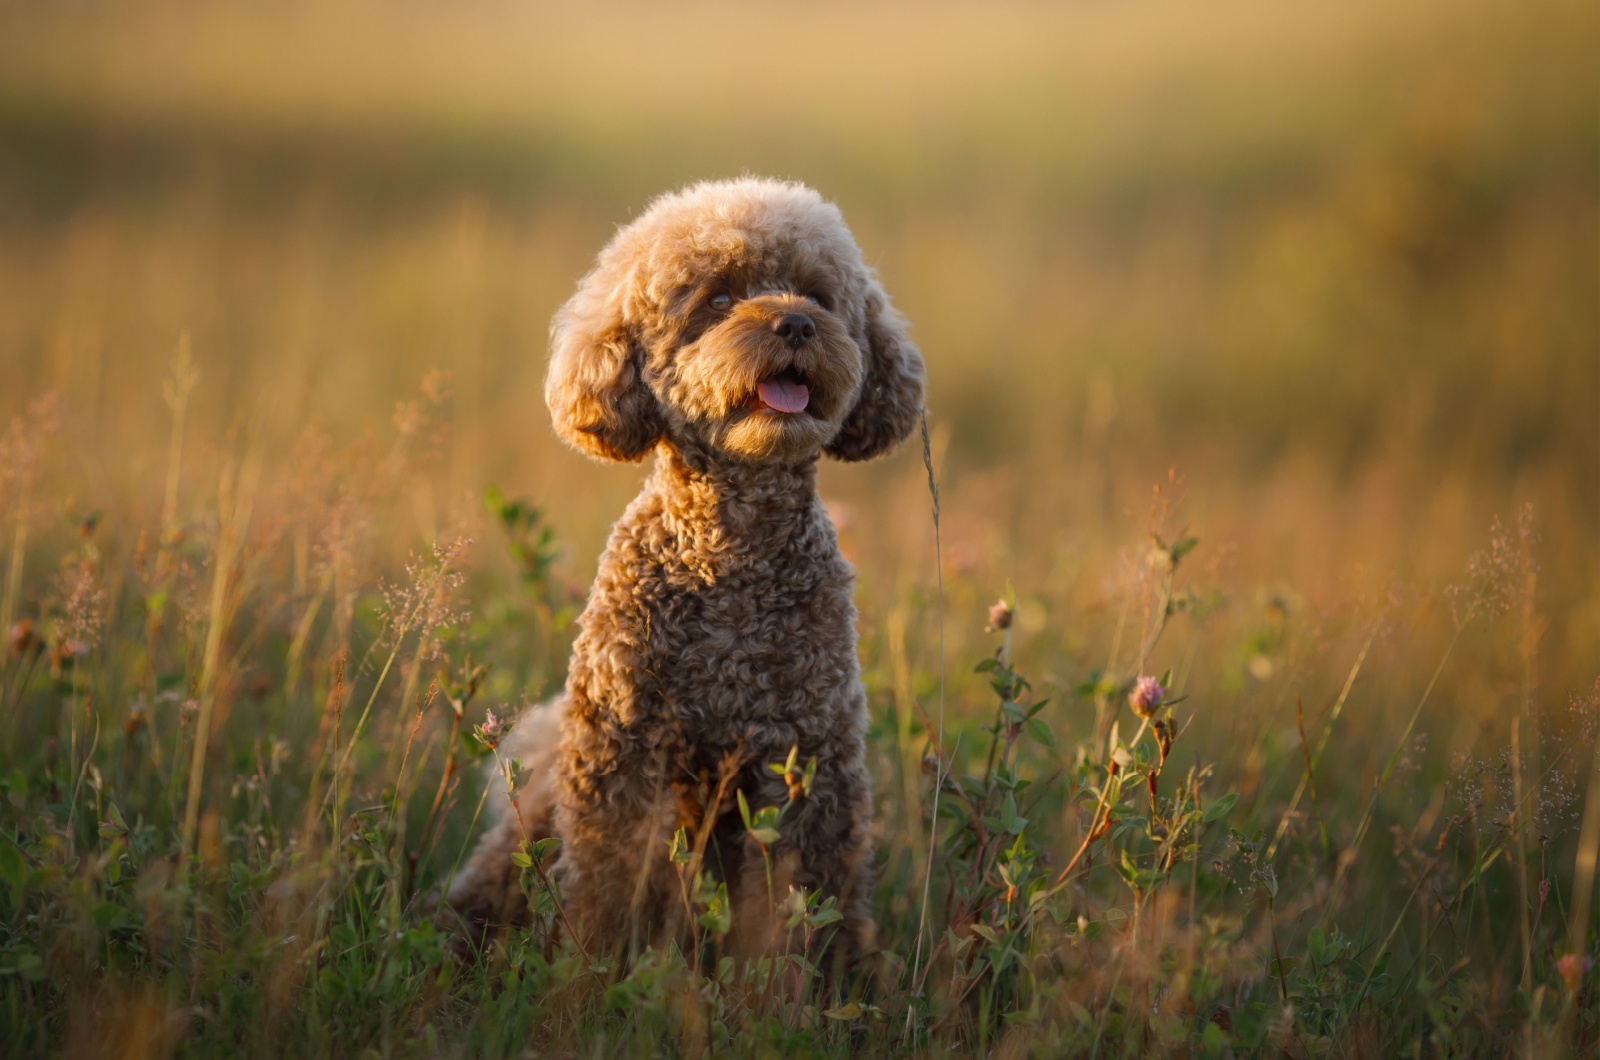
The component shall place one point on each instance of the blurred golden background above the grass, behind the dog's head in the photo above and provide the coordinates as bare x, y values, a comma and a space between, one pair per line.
1326, 271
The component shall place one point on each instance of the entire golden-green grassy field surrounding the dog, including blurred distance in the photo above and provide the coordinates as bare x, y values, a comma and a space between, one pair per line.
1265, 359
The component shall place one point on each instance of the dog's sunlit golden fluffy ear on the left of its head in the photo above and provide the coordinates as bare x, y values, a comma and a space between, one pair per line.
594, 388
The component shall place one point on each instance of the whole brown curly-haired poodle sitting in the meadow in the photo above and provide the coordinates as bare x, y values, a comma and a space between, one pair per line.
734, 331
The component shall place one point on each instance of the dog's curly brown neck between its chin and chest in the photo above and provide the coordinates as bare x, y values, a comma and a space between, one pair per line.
730, 508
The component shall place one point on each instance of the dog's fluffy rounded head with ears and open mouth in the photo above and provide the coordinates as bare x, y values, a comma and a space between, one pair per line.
735, 316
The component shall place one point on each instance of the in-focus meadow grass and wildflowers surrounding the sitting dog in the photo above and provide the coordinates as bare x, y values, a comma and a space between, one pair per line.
228, 822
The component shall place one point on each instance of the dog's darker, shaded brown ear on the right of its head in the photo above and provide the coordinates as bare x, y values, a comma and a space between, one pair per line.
890, 400
